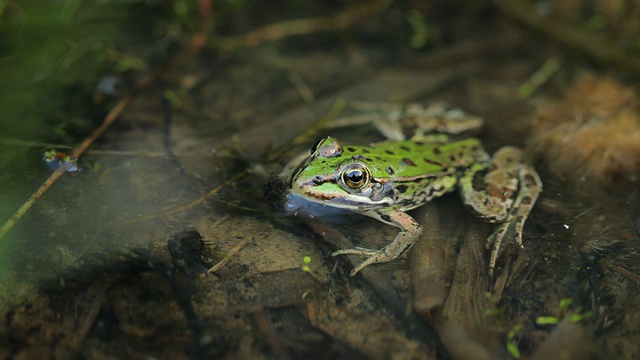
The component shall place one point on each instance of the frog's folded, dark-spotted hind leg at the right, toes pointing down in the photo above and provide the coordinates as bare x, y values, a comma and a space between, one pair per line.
502, 191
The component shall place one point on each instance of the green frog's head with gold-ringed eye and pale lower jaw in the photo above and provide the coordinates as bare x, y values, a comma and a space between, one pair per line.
336, 179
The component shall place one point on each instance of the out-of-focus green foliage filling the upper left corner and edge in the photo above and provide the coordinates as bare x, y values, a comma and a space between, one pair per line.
52, 53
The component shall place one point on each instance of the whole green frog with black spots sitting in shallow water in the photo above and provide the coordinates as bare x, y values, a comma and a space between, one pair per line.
385, 180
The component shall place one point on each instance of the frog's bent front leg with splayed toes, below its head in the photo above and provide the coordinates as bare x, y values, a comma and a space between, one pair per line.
411, 232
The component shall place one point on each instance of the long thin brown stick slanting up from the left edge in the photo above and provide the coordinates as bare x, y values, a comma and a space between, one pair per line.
197, 42
